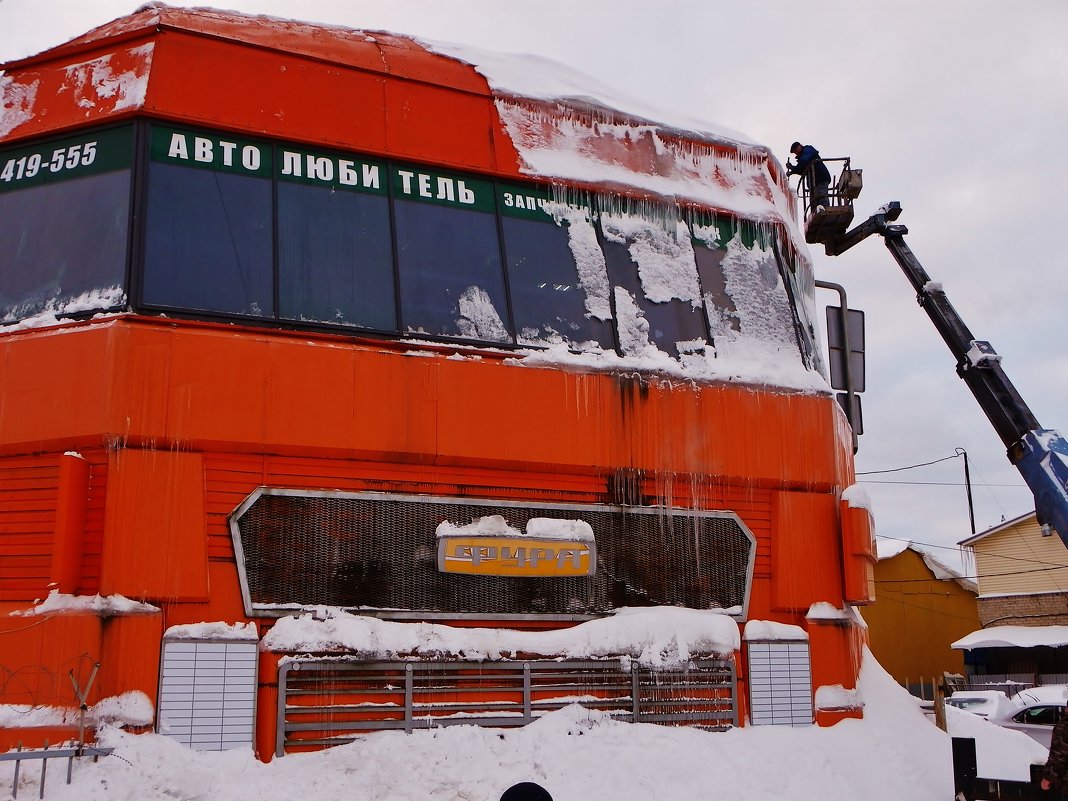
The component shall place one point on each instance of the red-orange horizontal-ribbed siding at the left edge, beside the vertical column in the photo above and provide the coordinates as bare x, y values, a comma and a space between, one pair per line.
29, 489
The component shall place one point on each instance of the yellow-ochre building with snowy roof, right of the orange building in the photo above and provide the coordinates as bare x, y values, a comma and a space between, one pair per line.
922, 607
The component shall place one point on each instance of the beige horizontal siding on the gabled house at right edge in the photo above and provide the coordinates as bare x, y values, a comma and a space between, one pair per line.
1019, 560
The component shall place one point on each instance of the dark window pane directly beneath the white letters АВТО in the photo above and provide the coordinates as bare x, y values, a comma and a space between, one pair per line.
209, 243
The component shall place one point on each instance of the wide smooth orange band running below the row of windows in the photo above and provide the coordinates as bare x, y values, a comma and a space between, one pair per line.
221, 388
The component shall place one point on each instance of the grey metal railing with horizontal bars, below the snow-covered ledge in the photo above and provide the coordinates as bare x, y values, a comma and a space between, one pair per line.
329, 702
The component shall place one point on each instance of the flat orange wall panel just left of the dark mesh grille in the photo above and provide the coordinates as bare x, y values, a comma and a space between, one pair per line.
155, 545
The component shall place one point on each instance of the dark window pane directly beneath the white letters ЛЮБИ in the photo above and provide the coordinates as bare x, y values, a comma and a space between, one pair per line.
336, 261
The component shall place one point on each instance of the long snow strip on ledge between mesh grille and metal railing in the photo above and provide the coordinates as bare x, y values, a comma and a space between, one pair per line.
656, 637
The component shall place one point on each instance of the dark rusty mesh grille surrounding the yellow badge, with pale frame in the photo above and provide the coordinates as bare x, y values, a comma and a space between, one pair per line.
379, 552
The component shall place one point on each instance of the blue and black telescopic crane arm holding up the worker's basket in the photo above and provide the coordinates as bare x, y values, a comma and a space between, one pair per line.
1040, 454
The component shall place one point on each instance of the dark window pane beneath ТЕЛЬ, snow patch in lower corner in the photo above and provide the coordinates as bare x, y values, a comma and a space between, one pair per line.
451, 278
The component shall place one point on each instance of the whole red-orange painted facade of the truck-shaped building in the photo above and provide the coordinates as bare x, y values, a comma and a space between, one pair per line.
129, 441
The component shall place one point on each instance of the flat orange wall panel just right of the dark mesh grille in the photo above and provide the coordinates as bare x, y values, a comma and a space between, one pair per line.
806, 552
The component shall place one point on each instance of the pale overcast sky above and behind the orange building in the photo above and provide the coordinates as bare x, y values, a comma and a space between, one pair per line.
955, 108
